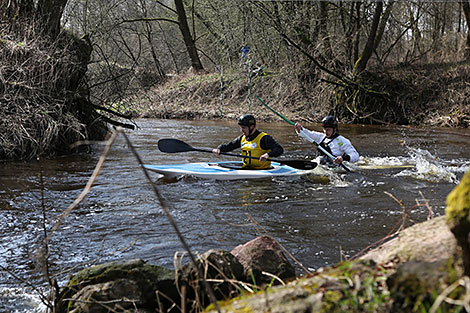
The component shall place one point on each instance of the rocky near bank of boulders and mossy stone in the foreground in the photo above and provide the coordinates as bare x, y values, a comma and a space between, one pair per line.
416, 271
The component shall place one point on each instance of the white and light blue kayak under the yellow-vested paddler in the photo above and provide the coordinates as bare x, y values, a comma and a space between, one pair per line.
223, 170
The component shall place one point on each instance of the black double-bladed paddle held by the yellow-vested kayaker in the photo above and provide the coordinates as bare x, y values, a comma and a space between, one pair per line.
175, 146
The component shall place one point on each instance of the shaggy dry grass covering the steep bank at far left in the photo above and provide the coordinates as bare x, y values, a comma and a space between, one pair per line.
41, 111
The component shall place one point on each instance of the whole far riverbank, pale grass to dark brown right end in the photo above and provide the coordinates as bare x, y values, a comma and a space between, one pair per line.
430, 96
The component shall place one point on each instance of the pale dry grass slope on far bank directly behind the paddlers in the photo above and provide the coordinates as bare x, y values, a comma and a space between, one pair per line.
192, 96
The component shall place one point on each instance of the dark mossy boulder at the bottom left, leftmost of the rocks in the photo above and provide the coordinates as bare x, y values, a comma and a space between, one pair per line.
118, 285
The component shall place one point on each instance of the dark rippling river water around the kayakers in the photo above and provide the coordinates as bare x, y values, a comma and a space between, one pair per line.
320, 219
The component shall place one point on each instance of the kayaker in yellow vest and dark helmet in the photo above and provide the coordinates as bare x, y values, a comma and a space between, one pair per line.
253, 143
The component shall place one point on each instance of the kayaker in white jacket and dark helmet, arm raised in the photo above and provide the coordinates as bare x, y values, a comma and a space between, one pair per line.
337, 147
